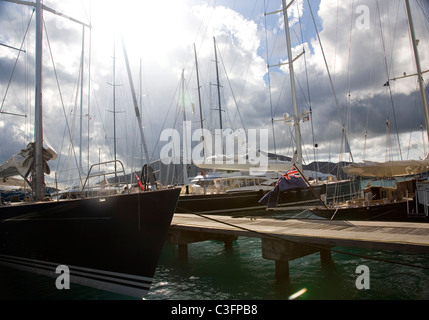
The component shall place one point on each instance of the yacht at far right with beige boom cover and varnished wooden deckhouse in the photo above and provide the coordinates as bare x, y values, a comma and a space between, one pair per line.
408, 199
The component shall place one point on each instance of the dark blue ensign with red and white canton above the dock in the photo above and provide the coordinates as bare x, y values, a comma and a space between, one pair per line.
290, 180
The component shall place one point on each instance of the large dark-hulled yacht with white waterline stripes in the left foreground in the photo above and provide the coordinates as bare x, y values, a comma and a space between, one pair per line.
110, 242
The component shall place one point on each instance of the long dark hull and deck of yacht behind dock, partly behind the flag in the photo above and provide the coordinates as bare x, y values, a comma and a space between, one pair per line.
237, 193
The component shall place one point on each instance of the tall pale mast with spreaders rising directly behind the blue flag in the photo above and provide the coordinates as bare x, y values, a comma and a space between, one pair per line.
293, 88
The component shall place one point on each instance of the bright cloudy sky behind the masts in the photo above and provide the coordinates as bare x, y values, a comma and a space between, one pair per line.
365, 43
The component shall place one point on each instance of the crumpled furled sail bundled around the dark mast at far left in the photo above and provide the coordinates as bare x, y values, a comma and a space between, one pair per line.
23, 162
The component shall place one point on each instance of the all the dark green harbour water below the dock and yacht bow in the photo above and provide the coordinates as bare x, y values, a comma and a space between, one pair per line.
212, 271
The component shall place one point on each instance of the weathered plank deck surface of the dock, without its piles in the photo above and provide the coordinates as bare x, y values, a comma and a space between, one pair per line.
395, 236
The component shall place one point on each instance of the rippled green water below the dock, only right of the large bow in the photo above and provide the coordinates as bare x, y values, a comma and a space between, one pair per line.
212, 272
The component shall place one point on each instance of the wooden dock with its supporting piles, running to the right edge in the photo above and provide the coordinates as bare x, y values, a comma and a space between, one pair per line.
286, 240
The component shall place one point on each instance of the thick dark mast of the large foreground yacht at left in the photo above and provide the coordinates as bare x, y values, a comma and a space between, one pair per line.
39, 179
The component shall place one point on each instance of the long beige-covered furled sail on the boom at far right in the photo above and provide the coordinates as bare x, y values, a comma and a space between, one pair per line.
388, 169
